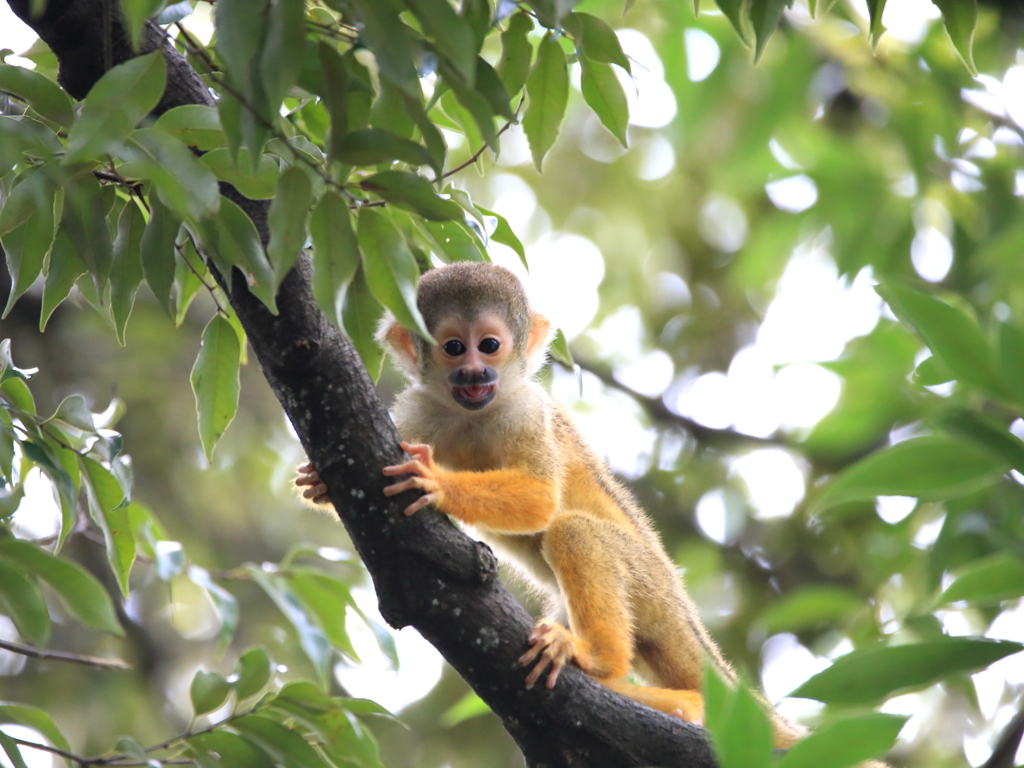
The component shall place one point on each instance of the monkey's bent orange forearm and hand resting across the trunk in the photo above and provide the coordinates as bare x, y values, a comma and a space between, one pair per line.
506, 501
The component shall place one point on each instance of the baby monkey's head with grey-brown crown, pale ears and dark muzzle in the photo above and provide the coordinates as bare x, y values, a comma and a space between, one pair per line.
488, 337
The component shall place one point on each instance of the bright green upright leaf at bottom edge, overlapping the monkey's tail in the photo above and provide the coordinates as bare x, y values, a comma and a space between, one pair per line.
739, 727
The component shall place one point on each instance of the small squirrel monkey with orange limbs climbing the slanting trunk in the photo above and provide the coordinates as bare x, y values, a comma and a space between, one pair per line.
490, 448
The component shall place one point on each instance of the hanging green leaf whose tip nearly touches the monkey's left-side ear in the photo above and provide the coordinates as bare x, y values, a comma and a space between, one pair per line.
391, 270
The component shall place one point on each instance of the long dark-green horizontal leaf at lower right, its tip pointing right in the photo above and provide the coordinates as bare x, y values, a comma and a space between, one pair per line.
870, 676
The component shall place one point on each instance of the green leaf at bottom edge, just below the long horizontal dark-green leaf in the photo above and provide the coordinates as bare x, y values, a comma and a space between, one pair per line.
845, 743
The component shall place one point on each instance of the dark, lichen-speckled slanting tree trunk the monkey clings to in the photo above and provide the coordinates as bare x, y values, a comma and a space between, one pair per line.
428, 574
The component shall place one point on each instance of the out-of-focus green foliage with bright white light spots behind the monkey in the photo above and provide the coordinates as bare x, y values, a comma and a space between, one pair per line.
715, 283
